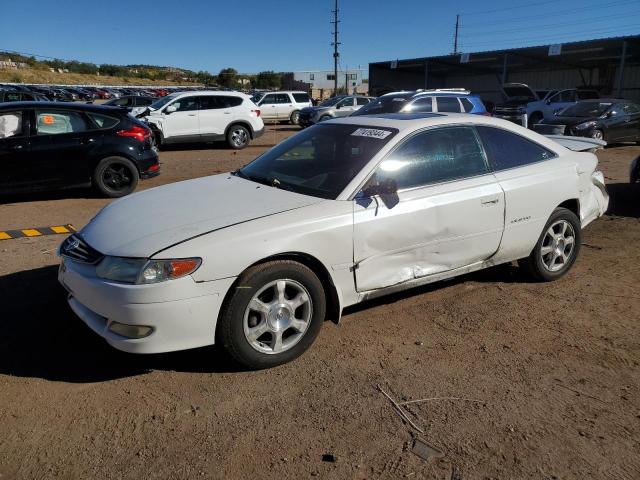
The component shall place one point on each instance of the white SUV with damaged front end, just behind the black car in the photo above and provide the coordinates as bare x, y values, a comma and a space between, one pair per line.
205, 117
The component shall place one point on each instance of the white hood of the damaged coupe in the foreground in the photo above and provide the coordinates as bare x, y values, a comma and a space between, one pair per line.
145, 223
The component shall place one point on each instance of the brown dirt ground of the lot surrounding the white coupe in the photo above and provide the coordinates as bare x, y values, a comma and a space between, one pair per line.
525, 380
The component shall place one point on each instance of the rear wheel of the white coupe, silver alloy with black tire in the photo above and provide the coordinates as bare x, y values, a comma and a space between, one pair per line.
549, 266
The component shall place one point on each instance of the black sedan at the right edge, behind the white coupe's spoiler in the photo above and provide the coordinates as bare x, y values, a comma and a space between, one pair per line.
612, 120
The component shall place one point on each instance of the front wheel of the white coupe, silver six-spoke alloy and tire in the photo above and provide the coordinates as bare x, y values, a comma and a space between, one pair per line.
250, 335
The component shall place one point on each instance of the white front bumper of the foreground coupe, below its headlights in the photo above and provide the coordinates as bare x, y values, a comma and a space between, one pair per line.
182, 313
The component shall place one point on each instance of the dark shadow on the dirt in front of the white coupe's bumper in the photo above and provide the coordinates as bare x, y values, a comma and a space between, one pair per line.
42, 338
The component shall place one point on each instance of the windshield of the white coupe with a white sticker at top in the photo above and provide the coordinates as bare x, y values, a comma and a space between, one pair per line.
319, 161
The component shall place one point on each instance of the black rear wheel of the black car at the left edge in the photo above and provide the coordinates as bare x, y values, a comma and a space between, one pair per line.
115, 177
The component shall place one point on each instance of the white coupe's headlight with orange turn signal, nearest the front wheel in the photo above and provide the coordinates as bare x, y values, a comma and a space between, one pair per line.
141, 271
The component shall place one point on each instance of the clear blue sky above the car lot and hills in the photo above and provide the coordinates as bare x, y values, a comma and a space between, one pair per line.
286, 35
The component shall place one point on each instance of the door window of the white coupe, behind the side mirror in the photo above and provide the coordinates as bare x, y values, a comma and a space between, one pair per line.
434, 156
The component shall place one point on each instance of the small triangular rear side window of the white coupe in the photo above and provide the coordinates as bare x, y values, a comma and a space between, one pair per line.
509, 150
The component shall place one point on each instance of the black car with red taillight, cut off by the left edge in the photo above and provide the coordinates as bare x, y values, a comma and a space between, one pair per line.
49, 145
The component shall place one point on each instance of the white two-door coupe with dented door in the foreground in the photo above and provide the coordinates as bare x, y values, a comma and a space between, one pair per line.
345, 211
